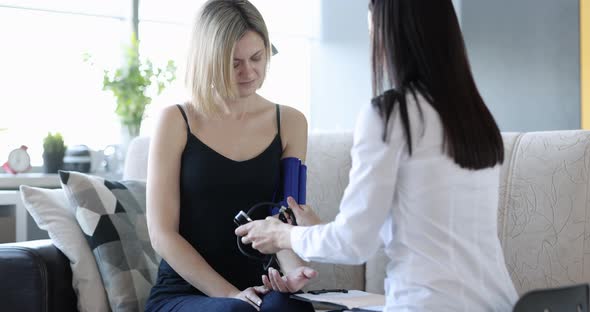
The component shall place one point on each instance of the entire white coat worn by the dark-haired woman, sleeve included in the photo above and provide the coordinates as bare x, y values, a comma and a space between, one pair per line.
437, 221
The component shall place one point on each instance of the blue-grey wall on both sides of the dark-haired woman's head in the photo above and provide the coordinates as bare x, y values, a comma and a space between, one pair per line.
524, 56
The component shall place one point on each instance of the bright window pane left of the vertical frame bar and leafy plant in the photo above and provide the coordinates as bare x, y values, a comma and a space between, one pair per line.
46, 85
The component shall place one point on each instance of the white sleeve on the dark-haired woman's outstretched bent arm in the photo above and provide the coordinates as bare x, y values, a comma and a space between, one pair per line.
353, 237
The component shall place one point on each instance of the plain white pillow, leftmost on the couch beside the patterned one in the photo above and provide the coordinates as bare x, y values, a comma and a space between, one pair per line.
52, 212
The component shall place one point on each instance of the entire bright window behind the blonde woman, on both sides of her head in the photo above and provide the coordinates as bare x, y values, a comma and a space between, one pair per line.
47, 85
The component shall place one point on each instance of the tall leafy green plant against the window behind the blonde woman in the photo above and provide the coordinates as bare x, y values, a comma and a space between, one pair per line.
133, 84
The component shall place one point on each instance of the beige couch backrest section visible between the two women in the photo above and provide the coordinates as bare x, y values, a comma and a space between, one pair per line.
328, 163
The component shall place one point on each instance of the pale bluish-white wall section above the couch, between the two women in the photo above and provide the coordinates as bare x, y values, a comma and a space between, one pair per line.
340, 64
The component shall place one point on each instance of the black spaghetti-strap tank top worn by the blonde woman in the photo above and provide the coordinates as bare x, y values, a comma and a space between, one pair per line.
213, 189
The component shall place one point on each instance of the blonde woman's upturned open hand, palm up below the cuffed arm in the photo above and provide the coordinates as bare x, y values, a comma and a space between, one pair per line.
290, 283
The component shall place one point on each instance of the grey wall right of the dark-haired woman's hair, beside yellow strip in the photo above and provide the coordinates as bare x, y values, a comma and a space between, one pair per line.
525, 57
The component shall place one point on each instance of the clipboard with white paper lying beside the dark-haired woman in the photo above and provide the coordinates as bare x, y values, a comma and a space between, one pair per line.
355, 300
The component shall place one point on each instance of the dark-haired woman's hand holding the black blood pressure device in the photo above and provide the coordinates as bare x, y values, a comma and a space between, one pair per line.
267, 236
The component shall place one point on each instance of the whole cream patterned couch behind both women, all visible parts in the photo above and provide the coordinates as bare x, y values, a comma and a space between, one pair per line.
544, 210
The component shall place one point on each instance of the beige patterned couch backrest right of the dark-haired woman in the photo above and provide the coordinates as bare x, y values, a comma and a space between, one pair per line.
545, 209
